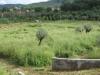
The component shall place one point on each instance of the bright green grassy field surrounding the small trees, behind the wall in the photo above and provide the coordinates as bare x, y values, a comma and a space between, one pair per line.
18, 42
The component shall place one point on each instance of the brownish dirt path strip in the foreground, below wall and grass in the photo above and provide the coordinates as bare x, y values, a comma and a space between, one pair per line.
13, 70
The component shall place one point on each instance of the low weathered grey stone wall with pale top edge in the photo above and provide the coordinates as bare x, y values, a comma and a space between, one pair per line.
74, 64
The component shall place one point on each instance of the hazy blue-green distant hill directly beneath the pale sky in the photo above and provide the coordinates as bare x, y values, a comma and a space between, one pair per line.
50, 3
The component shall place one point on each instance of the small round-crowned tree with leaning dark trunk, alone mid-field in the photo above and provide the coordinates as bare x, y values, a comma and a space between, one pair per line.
41, 34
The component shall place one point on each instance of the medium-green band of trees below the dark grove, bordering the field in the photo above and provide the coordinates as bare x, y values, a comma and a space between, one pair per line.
51, 14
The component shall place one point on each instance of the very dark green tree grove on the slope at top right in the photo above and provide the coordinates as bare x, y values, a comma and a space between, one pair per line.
79, 5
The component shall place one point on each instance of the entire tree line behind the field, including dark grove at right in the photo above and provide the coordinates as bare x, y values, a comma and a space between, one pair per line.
70, 9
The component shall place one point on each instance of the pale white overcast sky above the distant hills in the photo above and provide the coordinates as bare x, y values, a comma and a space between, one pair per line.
20, 1
